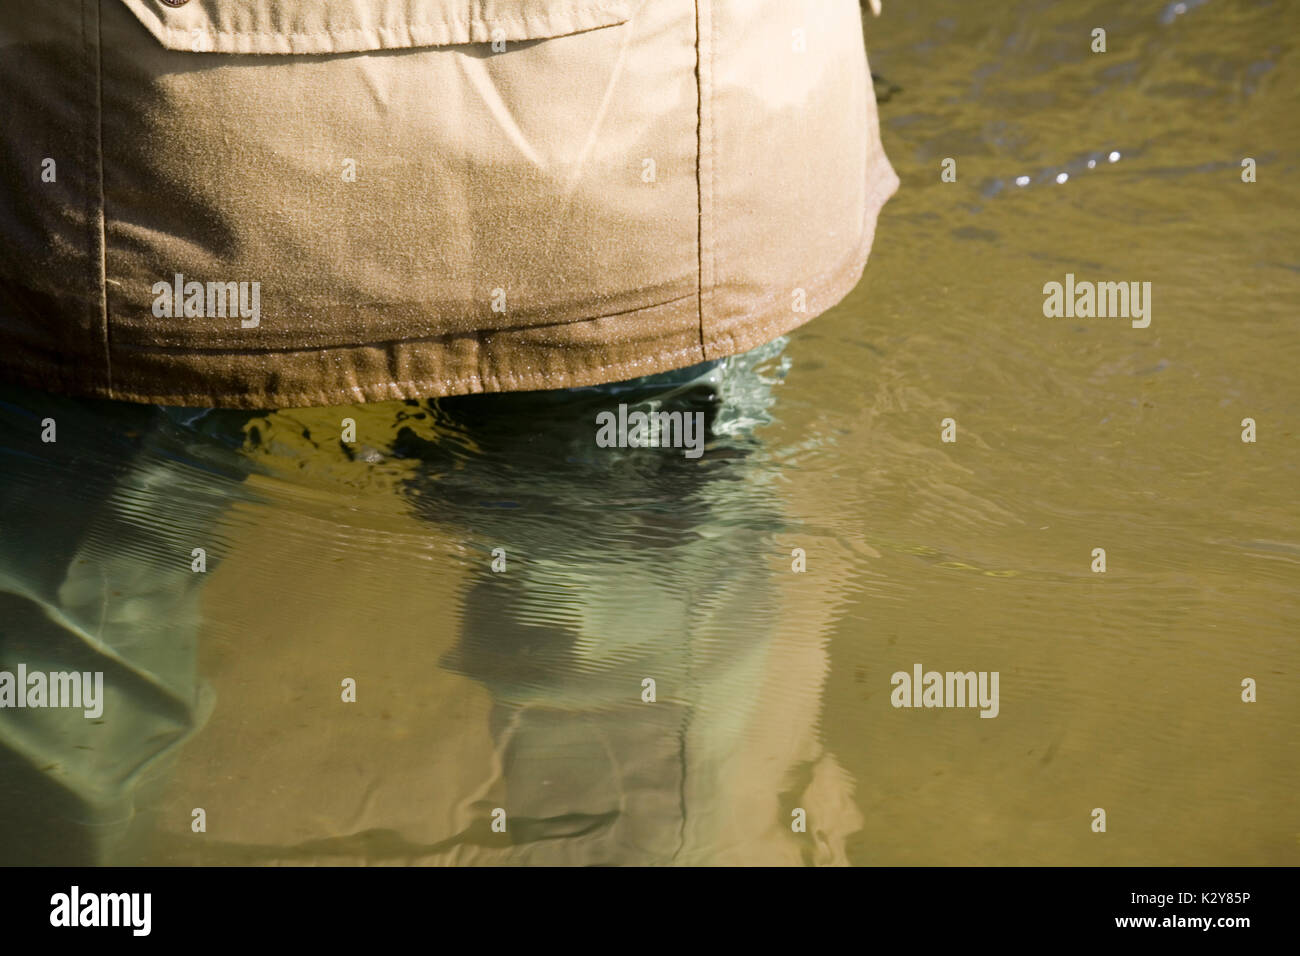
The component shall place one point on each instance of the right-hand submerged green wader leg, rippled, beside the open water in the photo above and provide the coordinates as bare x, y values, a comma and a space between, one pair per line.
623, 566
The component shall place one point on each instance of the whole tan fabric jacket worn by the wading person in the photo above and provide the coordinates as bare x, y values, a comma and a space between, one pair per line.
629, 187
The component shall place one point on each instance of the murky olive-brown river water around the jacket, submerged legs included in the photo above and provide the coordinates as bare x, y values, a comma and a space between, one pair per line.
522, 690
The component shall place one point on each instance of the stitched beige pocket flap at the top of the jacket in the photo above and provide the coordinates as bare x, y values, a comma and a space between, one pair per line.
349, 27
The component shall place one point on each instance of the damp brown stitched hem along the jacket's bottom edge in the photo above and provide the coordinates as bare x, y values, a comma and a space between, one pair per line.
569, 356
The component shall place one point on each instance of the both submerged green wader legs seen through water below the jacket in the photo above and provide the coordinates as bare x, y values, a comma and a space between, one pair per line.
597, 573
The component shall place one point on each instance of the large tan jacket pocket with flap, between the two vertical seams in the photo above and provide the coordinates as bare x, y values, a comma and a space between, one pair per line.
393, 170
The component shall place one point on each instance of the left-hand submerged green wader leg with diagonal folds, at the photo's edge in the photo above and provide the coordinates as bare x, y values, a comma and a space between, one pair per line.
102, 504
